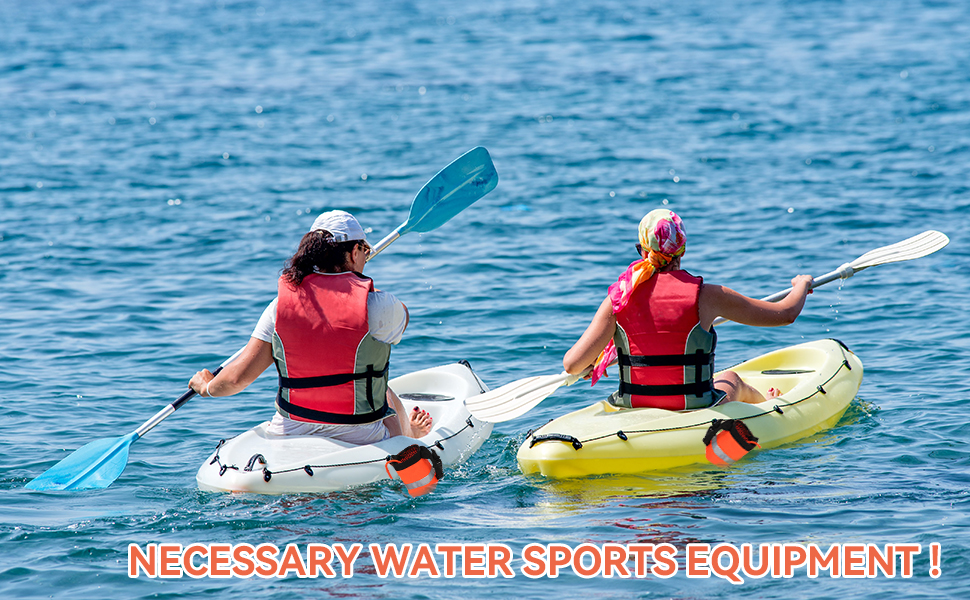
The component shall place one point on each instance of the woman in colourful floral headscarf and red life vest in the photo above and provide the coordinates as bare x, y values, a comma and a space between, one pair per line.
657, 324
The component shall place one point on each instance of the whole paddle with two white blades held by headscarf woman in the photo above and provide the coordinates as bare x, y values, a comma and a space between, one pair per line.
517, 398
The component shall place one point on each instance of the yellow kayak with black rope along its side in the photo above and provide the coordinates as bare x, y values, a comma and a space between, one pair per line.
817, 379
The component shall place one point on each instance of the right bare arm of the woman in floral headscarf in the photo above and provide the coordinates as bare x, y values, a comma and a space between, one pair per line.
719, 301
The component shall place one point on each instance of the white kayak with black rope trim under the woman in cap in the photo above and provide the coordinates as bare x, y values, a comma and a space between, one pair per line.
259, 462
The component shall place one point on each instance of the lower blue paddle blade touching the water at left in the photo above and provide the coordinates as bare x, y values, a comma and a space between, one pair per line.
93, 466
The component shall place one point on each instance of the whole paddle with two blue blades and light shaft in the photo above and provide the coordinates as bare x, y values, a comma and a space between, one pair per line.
96, 465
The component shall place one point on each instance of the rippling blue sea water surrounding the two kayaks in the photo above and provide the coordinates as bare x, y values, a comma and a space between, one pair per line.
160, 160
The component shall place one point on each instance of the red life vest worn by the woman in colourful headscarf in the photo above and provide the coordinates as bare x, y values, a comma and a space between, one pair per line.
666, 358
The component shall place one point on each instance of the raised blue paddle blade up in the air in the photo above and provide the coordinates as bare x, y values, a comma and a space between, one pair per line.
452, 190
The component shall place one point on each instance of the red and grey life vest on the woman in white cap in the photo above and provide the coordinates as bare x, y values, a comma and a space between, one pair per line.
331, 369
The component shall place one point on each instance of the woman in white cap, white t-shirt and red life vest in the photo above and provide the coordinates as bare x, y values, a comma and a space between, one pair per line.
329, 332
